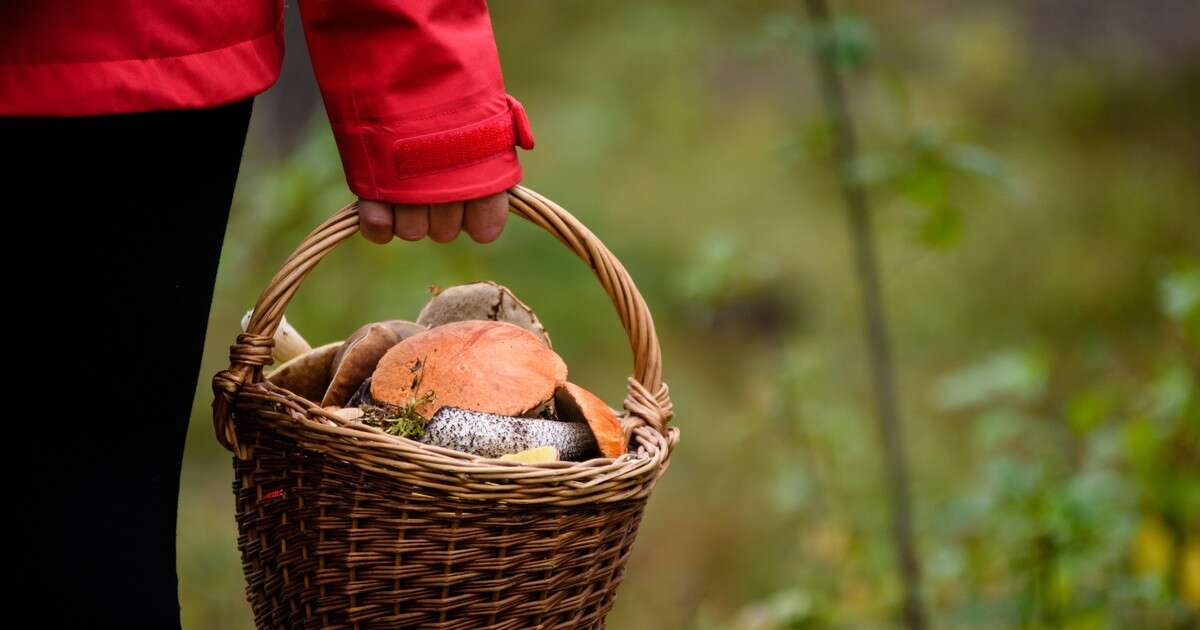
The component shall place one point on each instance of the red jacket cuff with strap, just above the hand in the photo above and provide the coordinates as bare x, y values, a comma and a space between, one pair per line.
453, 165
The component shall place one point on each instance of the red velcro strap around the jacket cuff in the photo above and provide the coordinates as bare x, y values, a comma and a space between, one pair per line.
464, 146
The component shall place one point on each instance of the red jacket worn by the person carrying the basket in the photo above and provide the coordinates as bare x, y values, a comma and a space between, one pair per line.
413, 88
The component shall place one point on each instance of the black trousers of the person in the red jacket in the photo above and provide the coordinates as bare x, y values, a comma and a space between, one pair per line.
113, 249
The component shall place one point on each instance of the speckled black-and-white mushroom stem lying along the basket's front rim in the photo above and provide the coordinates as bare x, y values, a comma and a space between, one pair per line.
493, 436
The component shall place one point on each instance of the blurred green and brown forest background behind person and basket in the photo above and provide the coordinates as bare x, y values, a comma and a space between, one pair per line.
1035, 176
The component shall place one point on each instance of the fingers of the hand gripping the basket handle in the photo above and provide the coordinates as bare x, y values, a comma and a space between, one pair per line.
483, 219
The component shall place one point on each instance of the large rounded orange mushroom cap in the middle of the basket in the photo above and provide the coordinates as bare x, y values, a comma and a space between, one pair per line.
485, 367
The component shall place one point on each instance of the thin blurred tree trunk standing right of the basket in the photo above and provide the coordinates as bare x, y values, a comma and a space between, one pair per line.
877, 332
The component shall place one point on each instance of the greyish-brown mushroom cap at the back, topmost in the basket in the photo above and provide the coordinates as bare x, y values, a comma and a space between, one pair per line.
481, 301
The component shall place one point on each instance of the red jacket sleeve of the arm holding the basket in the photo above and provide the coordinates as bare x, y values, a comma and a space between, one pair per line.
416, 98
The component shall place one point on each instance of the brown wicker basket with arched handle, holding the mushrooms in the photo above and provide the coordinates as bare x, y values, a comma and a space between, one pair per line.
344, 526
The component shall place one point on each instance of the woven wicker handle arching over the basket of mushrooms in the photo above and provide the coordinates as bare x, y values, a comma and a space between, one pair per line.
649, 403
